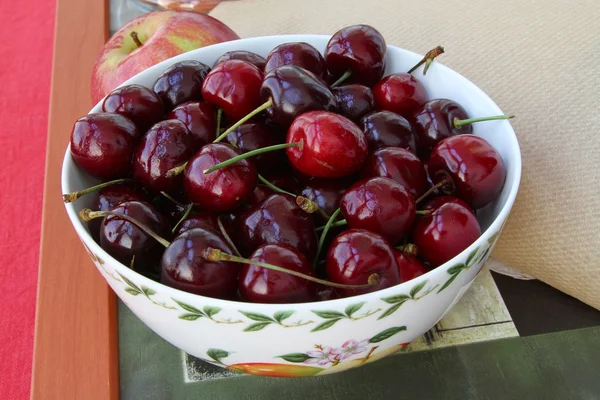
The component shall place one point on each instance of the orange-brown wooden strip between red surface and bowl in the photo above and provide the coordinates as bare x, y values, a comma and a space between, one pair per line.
75, 349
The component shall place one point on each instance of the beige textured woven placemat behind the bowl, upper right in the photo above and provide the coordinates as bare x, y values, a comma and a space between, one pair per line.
538, 59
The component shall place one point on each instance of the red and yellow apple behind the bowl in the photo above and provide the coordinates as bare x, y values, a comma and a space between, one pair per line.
164, 34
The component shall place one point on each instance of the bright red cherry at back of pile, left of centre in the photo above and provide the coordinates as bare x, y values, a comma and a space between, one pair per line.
233, 86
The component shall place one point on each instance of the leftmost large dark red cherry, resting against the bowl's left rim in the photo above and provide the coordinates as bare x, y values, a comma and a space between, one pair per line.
102, 144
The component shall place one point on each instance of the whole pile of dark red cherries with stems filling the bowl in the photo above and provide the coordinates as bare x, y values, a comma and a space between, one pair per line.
330, 178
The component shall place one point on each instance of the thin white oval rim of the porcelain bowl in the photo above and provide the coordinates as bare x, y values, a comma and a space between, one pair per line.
495, 226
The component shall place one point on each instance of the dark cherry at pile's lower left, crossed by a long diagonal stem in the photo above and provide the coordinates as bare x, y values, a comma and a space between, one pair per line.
123, 240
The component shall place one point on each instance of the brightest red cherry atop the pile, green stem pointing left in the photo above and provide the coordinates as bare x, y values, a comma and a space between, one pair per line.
332, 145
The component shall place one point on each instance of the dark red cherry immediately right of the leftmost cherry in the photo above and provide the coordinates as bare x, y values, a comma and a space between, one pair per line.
166, 145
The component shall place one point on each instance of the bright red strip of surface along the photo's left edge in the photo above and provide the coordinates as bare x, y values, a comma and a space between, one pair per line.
26, 39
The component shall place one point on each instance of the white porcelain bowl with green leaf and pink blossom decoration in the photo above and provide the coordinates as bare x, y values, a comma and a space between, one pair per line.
310, 338
